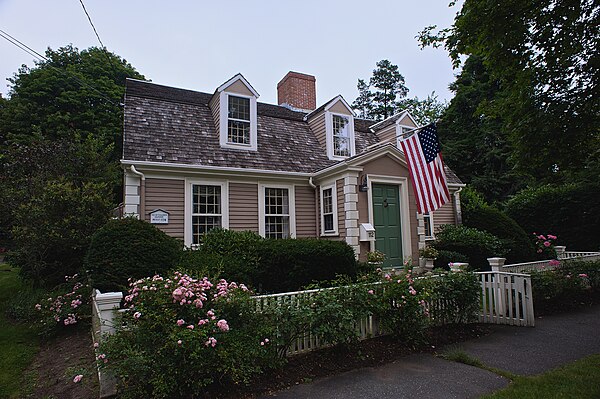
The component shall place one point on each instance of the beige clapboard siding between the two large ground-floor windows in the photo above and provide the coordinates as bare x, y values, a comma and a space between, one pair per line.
243, 206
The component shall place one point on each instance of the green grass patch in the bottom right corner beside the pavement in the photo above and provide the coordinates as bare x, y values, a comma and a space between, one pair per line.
580, 380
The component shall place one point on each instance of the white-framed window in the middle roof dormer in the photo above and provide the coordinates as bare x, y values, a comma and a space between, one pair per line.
340, 135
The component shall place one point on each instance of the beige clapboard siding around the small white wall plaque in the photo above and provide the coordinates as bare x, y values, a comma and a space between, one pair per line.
168, 195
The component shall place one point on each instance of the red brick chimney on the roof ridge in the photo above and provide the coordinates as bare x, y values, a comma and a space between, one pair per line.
297, 91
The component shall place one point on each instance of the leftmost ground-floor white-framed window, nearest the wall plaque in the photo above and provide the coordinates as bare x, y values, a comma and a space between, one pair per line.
206, 208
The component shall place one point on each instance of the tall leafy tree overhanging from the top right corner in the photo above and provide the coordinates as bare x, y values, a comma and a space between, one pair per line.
544, 54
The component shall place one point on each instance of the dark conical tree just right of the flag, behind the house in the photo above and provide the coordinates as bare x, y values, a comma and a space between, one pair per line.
475, 144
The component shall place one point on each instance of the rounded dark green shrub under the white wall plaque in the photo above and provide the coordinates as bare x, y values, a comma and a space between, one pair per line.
129, 248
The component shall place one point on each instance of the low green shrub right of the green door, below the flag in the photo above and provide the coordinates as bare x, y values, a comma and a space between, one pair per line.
475, 244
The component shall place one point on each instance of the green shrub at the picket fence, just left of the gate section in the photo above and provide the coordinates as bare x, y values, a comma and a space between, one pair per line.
458, 292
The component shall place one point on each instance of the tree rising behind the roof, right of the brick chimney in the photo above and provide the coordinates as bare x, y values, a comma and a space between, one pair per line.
378, 99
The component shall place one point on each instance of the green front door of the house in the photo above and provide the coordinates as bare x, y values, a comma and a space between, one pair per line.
386, 218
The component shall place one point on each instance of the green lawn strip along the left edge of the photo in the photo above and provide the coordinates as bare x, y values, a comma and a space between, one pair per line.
18, 342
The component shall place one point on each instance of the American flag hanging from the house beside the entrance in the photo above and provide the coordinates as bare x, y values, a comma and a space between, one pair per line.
424, 158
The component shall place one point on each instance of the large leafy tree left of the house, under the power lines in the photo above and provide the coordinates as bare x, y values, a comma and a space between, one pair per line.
70, 94
